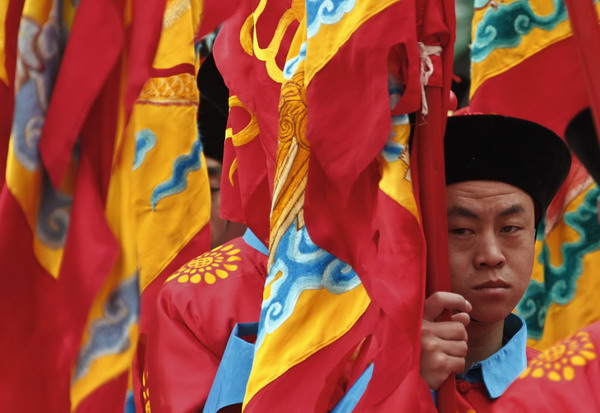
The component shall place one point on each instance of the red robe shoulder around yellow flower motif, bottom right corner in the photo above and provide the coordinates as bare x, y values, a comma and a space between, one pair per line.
580, 394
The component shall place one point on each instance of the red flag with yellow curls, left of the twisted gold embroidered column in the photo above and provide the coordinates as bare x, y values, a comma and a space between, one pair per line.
249, 200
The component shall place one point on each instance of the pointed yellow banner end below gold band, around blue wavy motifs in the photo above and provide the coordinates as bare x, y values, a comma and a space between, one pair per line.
177, 218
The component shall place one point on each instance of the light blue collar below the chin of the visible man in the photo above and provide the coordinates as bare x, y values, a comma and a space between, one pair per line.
498, 371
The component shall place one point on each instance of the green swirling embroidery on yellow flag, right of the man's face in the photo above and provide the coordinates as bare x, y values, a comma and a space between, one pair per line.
560, 283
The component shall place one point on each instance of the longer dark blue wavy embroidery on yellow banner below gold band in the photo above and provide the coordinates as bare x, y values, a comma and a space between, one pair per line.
182, 166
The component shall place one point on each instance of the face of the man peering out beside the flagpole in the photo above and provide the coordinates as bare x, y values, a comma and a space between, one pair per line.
491, 245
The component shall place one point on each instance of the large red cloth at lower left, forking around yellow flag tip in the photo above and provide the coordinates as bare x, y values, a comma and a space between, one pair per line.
43, 318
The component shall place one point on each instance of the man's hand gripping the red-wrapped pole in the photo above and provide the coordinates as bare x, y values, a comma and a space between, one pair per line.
443, 343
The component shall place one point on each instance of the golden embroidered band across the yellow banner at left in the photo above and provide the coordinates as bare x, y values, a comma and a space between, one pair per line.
179, 90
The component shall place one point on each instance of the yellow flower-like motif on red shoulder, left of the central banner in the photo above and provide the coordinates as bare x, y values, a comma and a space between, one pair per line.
210, 266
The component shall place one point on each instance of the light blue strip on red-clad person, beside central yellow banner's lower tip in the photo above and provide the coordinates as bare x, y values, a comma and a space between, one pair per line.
229, 386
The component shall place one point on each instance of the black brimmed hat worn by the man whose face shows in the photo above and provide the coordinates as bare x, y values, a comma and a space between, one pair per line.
500, 148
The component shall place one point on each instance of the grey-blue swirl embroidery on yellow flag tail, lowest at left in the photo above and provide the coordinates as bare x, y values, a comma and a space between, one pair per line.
110, 334
